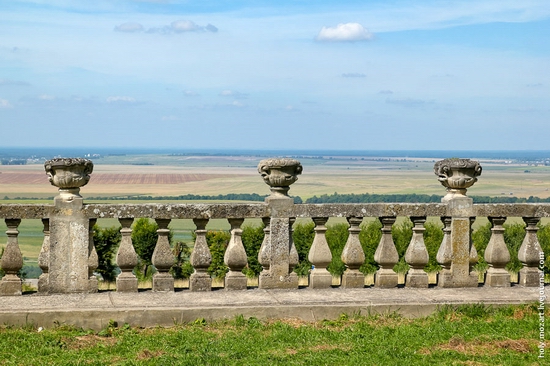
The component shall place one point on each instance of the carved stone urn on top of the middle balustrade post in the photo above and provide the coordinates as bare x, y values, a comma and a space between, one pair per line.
280, 173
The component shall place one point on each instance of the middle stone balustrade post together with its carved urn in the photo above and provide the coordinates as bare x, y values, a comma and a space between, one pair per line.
279, 256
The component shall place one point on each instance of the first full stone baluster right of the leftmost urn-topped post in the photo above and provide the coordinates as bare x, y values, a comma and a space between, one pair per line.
126, 258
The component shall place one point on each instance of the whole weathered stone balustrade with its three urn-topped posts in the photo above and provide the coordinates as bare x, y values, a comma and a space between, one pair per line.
68, 257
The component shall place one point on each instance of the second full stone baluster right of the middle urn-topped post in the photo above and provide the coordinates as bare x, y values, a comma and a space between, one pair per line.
353, 256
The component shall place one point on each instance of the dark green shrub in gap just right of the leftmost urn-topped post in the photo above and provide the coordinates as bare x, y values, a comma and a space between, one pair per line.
106, 242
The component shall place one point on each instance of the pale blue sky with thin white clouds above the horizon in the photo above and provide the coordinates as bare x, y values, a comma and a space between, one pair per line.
346, 75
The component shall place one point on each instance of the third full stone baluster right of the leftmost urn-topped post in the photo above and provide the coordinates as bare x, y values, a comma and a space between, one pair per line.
200, 259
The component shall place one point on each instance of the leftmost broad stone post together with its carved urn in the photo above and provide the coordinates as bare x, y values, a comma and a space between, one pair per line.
69, 227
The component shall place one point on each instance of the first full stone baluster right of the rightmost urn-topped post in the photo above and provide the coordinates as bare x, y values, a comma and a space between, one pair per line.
497, 255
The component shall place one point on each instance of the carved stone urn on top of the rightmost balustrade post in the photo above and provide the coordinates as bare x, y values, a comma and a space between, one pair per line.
457, 175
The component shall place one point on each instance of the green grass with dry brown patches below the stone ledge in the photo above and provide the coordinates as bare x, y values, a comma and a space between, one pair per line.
464, 335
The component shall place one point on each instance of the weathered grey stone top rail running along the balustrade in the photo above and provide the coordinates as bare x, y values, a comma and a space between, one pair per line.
260, 210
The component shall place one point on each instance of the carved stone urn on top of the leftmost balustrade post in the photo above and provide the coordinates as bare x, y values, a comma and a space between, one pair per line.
69, 174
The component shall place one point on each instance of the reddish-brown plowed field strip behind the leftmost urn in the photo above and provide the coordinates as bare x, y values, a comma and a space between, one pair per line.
113, 179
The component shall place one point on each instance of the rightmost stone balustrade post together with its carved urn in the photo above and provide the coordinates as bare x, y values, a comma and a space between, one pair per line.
457, 175
